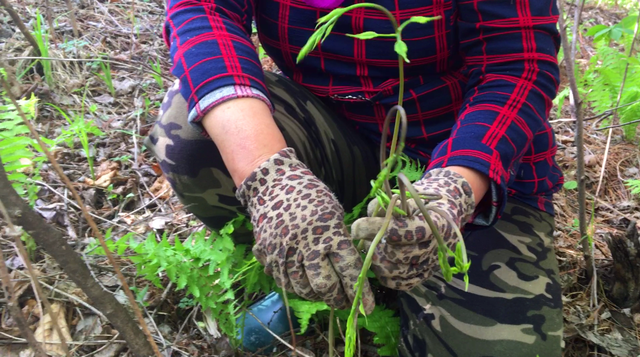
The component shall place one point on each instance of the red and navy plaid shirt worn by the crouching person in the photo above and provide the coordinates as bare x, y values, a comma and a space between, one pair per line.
479, 86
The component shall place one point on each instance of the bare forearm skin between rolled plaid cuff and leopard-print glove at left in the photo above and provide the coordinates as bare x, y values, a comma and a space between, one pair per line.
245, 133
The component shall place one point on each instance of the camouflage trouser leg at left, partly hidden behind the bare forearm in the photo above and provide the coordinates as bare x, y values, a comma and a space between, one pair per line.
193, 165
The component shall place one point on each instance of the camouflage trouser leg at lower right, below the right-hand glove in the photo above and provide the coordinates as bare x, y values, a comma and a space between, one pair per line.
513, 306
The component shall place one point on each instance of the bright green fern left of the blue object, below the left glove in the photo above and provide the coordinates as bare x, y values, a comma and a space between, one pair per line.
206, 266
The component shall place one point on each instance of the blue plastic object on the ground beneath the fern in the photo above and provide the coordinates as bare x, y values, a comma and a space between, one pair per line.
270, 311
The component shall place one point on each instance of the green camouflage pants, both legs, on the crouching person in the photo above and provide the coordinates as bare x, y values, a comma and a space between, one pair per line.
513, 305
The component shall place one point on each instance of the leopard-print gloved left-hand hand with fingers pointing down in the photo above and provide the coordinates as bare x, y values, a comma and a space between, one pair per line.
301, 238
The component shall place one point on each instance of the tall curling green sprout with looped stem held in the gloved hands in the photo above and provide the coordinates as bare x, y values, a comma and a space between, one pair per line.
381, 188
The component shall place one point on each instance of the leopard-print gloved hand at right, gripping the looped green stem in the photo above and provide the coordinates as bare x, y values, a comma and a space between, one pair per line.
408, 253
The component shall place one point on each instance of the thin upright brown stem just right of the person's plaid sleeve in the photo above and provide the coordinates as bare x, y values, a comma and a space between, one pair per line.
576, 111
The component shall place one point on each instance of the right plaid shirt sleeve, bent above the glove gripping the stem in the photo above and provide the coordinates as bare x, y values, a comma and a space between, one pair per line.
509, 49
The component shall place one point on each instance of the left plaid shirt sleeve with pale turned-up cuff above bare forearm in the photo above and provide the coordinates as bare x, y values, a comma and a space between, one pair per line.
212, 52
